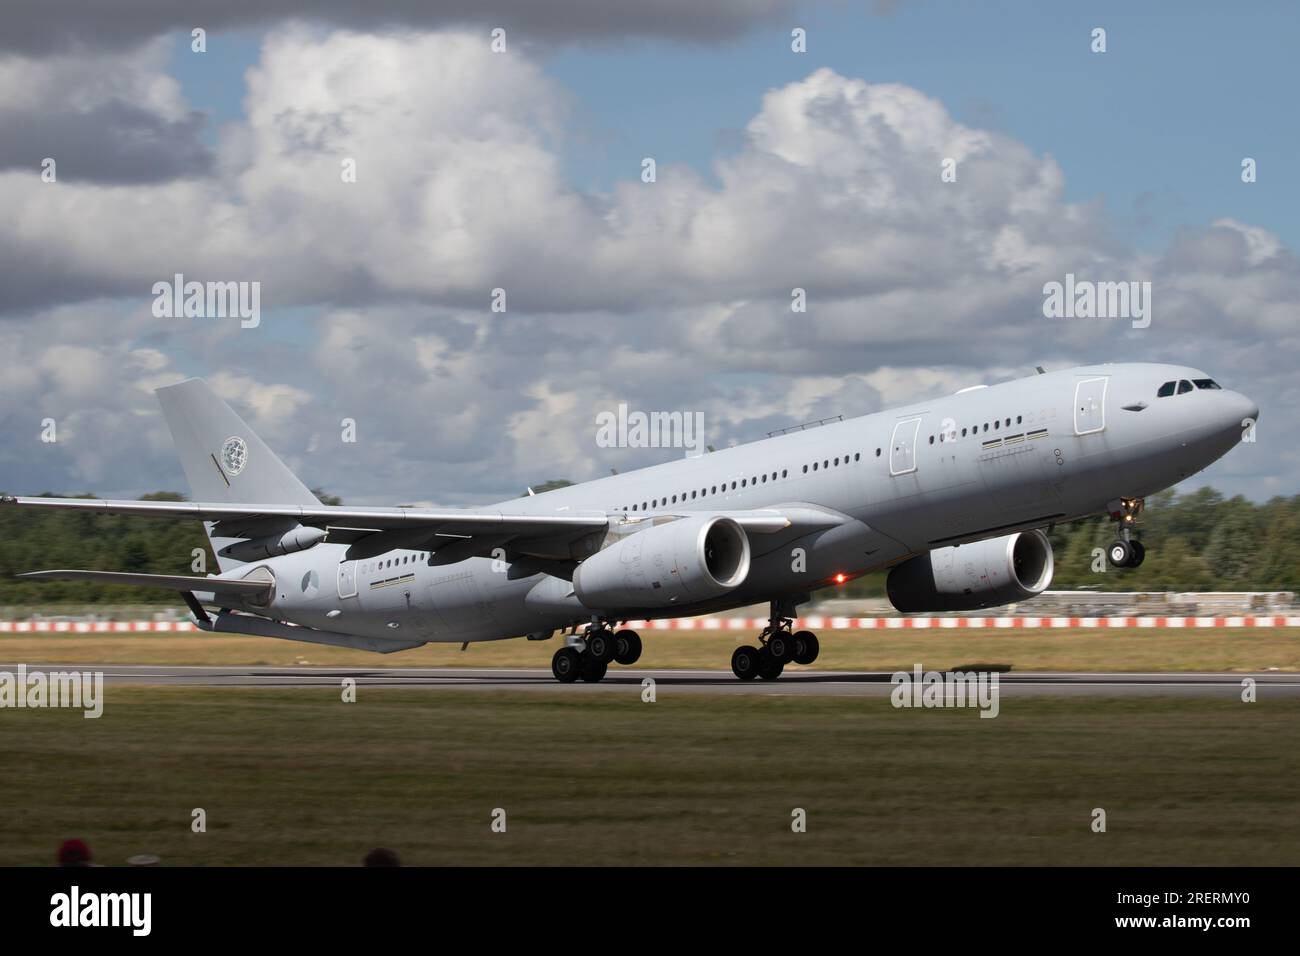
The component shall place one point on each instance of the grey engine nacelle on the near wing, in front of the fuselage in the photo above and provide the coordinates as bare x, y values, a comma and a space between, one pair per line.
674, 564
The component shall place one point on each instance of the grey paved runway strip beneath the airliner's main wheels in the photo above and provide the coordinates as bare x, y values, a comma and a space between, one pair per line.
796, 681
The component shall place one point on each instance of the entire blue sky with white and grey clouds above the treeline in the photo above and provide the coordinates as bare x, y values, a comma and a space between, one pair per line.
523, 171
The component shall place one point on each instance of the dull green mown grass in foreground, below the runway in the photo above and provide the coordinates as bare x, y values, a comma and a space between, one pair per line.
297, 777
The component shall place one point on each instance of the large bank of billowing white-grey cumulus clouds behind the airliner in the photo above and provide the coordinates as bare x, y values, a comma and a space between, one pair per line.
669, 296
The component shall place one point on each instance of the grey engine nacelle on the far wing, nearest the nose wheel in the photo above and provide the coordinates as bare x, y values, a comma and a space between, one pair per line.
965, 578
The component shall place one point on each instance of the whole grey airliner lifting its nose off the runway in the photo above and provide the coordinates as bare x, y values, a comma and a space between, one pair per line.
951, 495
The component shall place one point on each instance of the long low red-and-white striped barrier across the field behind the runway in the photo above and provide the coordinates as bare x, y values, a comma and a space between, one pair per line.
813, 624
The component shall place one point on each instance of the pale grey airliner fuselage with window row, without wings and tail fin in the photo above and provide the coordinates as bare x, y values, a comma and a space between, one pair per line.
898, 483
